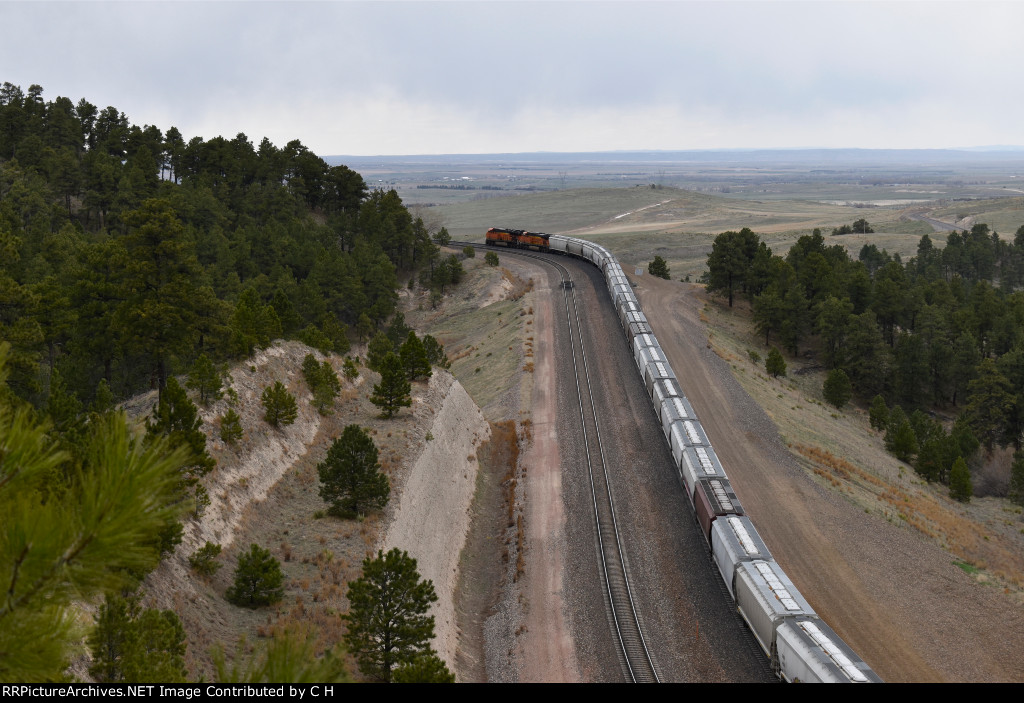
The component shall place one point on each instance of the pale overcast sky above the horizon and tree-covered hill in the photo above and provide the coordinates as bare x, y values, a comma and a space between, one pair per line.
423, 77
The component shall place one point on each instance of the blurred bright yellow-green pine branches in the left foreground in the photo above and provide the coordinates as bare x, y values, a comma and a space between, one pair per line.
54, 552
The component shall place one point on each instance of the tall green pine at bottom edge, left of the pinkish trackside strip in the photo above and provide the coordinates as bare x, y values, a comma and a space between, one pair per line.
388, 621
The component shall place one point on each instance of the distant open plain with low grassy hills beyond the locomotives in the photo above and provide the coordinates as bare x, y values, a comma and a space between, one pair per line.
673, 204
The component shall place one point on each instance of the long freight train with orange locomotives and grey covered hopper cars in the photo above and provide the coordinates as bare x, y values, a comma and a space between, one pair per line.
799, 644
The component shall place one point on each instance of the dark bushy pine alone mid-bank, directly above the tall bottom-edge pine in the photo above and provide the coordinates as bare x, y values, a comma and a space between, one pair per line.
352, 480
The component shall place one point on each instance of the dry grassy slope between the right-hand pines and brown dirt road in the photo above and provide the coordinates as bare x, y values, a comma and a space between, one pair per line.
844, 454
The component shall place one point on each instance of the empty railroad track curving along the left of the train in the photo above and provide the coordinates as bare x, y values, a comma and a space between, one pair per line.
635, 656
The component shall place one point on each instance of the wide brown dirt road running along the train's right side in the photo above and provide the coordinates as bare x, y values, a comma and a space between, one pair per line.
895, 598
